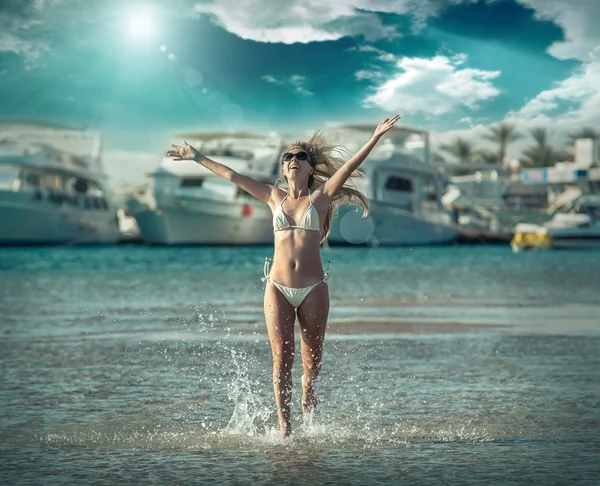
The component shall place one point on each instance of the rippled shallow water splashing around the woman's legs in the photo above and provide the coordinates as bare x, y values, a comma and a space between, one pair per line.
152, 366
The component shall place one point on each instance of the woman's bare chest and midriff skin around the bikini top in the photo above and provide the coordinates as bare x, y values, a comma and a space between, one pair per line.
297, 258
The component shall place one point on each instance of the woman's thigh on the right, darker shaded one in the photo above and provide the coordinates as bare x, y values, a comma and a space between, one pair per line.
312, 316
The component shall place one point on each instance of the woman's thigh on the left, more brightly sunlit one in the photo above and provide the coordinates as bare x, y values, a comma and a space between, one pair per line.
280, 318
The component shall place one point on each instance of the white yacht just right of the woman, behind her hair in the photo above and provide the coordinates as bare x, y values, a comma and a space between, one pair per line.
405, 191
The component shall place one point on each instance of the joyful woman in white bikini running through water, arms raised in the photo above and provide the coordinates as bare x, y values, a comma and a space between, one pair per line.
296, 284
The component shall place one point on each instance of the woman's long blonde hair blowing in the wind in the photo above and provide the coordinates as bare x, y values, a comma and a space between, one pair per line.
327, 157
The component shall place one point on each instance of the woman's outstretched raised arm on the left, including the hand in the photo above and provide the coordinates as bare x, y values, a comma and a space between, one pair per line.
258, 189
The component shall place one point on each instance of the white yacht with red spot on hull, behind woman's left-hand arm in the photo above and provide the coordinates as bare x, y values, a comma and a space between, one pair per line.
186, 204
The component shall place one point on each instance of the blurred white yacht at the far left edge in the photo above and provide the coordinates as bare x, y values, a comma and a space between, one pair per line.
52, 187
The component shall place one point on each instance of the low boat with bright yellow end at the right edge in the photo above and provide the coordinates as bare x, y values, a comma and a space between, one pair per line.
573, 226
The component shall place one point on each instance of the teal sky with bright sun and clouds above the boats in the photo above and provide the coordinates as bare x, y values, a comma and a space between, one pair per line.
140, 71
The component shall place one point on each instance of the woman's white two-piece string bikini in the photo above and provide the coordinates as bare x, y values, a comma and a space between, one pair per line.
310, 222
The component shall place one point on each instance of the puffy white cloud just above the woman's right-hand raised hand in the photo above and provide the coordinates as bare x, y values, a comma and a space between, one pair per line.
434, 86
